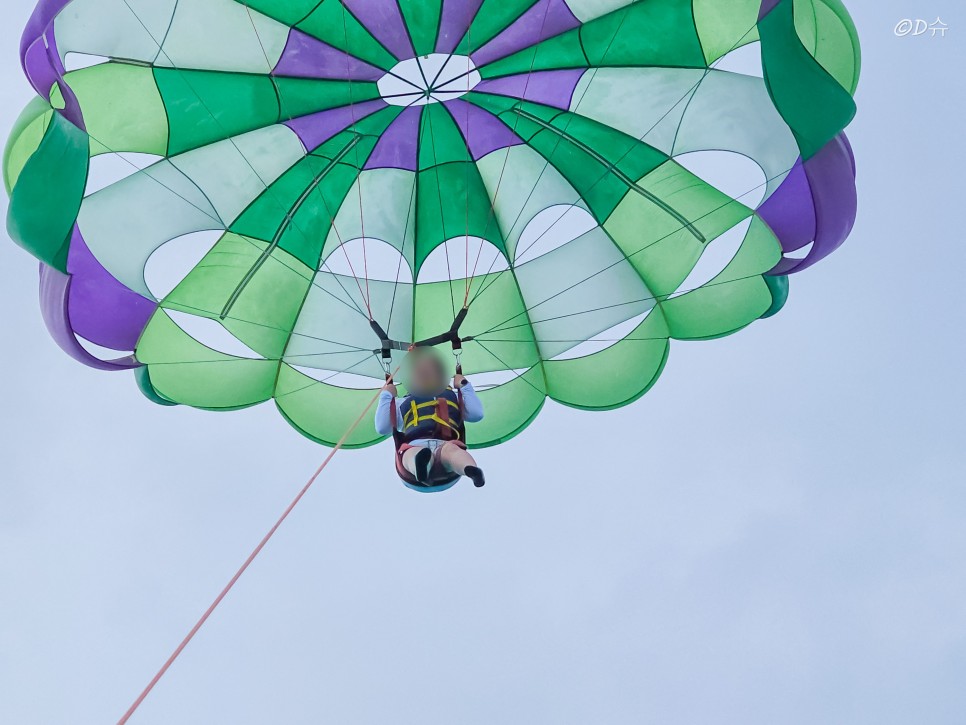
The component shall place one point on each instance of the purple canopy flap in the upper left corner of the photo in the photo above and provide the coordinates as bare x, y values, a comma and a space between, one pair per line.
41, 60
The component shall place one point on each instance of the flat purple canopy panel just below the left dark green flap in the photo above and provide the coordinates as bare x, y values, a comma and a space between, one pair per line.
100, 308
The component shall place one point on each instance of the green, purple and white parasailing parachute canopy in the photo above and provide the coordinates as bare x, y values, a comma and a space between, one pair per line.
272, 199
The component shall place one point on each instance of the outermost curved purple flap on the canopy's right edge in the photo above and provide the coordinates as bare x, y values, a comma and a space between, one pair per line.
831, 175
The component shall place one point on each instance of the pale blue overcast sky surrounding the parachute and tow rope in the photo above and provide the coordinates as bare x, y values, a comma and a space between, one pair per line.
775, 534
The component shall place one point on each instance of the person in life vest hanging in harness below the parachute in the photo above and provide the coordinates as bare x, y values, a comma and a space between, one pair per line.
428, 425
